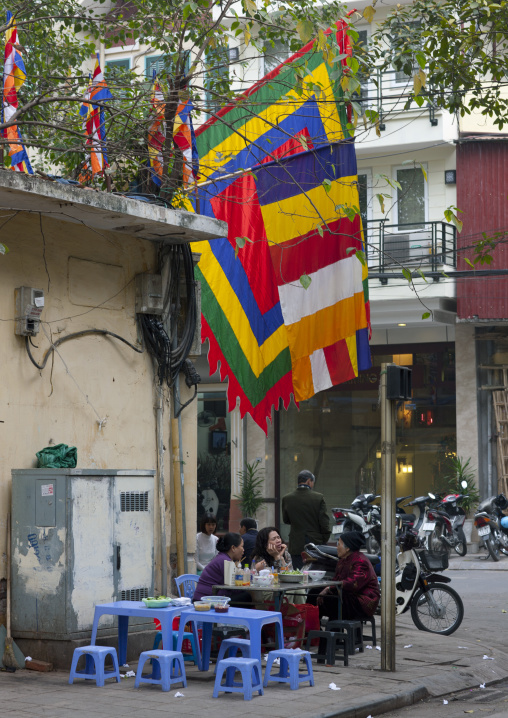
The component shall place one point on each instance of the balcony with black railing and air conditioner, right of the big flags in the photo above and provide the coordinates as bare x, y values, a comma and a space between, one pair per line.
429, 246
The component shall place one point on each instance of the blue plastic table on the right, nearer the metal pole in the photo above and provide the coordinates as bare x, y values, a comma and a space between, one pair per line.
251, 619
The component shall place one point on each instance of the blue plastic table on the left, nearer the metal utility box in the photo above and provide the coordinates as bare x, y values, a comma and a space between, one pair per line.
125, 609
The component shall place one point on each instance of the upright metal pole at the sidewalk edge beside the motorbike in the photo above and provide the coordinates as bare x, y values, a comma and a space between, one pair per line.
388, 445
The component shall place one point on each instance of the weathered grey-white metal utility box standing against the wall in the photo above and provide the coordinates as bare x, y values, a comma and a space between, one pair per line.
79, 537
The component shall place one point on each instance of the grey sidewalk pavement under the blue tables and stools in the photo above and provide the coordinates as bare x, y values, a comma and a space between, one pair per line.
427, 665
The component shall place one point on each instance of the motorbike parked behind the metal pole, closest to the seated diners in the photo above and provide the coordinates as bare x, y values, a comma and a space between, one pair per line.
419, 588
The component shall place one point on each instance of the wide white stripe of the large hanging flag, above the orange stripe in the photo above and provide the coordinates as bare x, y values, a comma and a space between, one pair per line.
329, 285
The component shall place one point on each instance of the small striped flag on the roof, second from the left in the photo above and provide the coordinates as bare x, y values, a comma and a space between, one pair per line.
94, 123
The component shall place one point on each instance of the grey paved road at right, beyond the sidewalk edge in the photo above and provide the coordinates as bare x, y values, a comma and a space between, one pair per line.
485, 597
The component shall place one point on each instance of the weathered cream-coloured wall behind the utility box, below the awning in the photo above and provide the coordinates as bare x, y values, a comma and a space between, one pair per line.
96, 393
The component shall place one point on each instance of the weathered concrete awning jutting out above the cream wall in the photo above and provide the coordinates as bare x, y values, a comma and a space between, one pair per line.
104, 211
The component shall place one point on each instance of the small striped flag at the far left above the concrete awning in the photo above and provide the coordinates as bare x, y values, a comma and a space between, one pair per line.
14, 77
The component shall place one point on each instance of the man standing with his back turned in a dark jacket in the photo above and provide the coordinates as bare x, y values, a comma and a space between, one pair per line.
305, 510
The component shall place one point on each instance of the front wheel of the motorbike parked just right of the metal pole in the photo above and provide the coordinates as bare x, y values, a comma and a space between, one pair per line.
442, 615
